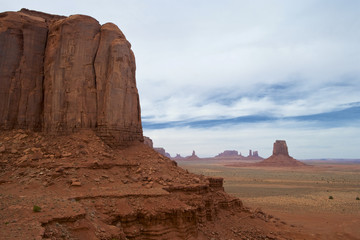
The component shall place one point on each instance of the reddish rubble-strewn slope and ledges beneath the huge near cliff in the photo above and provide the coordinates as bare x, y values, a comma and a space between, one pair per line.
87, 190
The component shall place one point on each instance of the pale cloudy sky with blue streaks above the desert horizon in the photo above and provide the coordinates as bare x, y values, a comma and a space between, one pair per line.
237, 75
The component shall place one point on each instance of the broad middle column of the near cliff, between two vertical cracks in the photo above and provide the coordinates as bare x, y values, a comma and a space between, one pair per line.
69, 84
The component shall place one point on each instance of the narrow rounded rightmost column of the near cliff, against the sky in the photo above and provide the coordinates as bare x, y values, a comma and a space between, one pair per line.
116, 86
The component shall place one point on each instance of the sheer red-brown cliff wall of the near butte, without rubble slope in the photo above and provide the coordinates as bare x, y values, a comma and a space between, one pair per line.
59, 74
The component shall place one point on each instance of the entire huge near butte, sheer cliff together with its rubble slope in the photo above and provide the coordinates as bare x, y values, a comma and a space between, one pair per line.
73, 78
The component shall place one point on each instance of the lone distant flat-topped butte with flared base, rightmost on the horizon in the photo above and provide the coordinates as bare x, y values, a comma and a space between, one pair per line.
280, 157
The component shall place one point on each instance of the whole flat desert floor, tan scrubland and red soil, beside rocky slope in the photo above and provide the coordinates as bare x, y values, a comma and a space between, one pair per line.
298, 196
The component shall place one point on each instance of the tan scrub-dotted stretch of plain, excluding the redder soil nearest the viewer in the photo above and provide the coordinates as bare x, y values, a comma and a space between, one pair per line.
291, 189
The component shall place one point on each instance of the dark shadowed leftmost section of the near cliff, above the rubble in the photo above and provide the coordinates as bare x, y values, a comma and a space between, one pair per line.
22, 45
